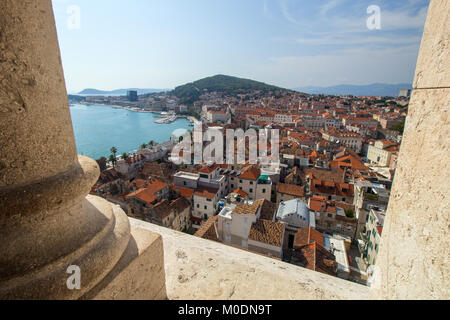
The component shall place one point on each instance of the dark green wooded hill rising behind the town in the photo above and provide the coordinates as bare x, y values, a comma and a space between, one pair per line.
189, 93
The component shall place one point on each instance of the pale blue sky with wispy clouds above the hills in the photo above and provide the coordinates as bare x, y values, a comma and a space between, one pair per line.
289, 43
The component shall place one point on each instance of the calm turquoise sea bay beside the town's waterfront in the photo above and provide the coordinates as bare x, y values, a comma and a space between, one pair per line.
98, 128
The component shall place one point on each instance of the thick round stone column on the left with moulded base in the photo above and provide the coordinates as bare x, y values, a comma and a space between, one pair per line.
47, 221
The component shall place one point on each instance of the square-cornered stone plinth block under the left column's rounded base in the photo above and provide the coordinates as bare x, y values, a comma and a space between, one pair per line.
139, 274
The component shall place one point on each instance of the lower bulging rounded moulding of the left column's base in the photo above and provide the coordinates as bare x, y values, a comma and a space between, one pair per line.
34, 260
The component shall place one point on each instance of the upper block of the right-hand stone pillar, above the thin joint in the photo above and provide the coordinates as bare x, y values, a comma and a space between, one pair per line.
433, 66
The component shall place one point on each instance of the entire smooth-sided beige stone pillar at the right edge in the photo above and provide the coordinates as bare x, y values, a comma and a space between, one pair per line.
413, 262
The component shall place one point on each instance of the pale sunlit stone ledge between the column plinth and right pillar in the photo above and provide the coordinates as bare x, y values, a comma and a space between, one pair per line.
206, 270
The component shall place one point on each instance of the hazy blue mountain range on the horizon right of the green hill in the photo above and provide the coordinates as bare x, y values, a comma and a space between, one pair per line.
376, 89
